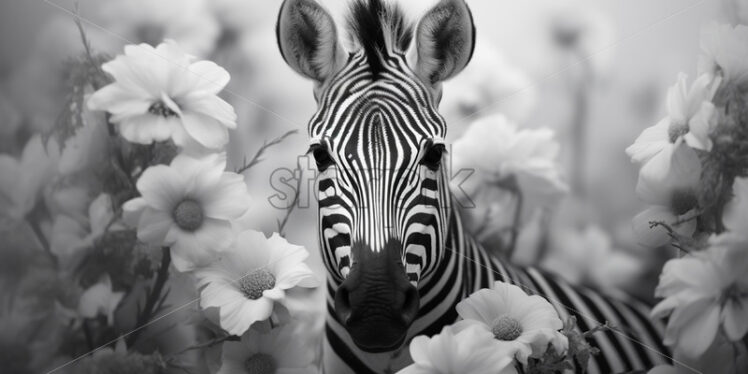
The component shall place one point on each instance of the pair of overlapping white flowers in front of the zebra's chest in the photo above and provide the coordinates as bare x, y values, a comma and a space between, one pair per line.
500, 330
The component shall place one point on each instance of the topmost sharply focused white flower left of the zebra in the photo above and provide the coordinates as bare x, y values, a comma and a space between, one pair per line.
162, 93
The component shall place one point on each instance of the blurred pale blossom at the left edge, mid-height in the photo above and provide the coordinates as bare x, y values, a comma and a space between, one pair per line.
23, 179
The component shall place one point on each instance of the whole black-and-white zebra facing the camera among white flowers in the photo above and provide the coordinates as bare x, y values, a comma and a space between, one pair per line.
397, 257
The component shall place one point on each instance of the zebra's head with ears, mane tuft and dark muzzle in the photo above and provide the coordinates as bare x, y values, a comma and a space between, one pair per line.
378, 141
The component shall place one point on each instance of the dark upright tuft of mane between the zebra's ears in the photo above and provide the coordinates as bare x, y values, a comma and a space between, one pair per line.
379, 29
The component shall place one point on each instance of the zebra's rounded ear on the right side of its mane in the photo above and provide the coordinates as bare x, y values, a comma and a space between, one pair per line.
445, 38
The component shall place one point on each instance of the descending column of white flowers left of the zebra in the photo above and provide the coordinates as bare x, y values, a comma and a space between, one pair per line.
193, 206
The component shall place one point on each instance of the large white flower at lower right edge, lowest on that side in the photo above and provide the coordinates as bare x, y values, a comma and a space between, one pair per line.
703, 292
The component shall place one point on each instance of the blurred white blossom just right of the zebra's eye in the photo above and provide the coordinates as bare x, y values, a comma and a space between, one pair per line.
504, 157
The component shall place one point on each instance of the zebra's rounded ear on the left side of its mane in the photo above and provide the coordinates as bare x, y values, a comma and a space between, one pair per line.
308, 40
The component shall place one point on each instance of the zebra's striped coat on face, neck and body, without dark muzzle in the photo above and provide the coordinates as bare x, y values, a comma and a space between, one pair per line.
376, 121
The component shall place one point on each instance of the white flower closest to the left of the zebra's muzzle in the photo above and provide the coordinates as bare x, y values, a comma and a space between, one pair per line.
252, 277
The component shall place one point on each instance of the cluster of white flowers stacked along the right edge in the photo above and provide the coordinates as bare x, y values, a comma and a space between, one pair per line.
693, 166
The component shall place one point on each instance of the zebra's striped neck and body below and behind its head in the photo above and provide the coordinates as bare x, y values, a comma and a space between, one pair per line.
633, 344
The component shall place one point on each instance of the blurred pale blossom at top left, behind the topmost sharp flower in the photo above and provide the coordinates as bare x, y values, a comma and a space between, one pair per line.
189, 22
